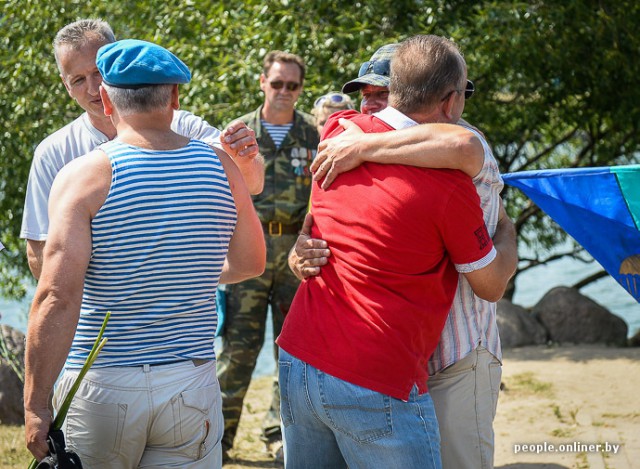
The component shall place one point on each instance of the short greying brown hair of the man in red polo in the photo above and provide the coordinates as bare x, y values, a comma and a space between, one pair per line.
423, 70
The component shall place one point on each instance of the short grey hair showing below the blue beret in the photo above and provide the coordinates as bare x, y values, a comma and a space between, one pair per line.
135, 100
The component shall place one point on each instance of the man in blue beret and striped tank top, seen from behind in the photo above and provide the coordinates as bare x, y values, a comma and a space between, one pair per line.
143, 227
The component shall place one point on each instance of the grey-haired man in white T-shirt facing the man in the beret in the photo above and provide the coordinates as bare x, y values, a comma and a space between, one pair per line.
75, 48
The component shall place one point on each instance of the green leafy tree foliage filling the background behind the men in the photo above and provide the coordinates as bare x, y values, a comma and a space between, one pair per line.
557, 81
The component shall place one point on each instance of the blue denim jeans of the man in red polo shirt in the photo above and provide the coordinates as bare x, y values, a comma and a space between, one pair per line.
330, 423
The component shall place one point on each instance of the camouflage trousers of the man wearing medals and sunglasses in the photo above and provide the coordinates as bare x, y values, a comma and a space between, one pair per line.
244, 334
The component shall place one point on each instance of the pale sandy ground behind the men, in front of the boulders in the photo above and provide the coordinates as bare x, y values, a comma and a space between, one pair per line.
561, 402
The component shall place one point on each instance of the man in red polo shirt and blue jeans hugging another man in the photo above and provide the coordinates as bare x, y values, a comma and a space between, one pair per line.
357, 338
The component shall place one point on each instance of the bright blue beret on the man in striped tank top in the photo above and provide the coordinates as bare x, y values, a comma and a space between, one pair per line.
132, 63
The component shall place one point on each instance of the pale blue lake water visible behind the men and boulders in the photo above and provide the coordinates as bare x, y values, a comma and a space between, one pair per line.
530, 287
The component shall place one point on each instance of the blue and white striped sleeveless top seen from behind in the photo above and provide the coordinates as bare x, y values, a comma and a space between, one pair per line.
159, 243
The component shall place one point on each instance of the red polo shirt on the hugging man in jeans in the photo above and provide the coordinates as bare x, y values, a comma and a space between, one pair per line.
374, 315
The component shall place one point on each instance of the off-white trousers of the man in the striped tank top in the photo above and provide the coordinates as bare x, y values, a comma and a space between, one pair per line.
145, 416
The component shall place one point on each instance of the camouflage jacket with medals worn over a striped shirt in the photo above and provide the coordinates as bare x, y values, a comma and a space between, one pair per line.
287, 183
